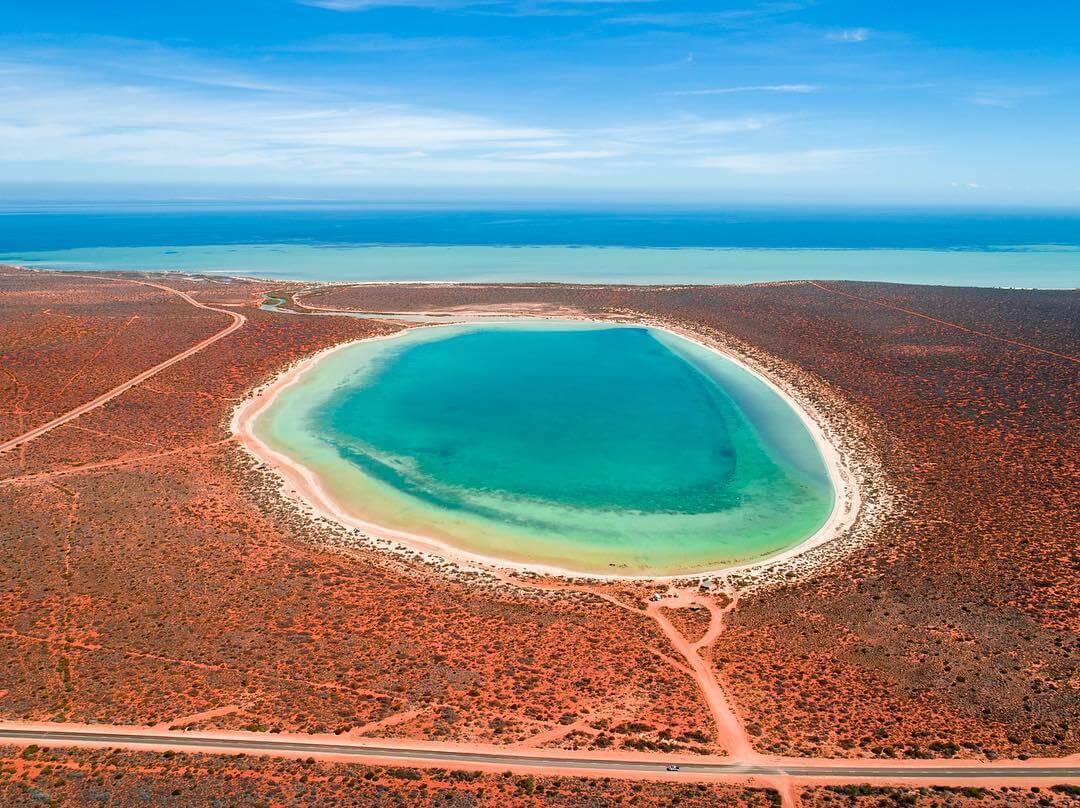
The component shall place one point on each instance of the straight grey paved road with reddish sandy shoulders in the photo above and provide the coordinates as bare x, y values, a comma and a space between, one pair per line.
1066, 772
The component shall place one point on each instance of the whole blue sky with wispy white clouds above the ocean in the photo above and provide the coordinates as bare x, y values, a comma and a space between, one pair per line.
961, 103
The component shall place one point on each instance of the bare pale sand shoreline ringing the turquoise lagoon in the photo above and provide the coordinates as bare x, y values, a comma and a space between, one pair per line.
305, 484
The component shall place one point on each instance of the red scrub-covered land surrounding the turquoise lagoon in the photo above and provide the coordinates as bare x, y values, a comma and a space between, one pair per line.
156, 576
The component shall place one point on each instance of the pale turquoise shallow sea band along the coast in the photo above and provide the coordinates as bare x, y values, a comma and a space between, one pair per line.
1048, 267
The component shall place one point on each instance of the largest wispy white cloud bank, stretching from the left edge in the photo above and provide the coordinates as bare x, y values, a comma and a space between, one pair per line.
138, 115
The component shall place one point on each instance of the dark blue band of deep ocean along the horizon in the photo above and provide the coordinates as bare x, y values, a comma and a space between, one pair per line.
809, 228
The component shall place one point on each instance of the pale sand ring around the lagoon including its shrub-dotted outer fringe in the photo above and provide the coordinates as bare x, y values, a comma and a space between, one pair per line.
848, 468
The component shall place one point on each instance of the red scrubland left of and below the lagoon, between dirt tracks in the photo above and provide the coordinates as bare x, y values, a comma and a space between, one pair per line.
171, 580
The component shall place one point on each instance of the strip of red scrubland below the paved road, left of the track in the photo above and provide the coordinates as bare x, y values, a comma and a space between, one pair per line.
85, 777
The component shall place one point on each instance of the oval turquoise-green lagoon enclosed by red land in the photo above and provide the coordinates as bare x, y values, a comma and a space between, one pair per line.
591, 448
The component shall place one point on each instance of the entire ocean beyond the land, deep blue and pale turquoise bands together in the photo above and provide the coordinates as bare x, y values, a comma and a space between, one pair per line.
988, 248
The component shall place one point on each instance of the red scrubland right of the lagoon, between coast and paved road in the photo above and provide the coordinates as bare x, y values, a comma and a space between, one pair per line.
953, 632
